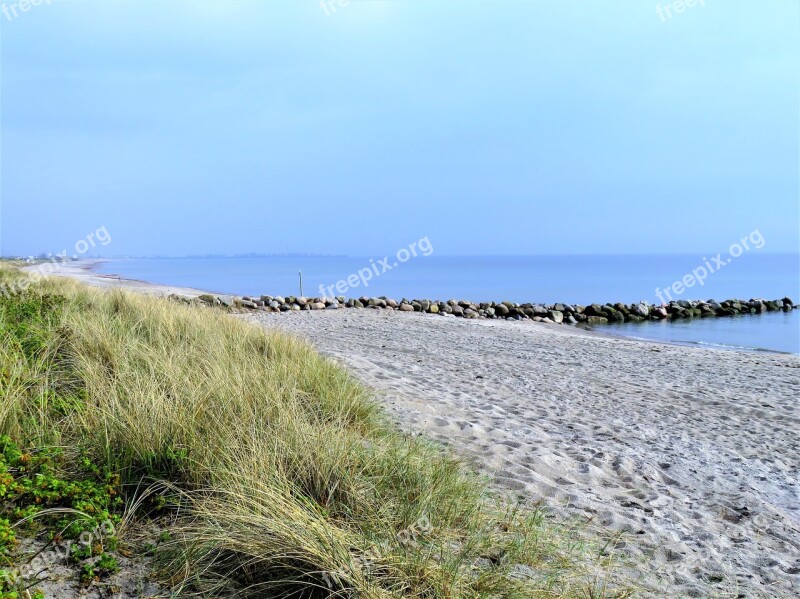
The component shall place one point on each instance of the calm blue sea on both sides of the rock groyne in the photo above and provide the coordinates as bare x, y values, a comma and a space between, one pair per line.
546, 279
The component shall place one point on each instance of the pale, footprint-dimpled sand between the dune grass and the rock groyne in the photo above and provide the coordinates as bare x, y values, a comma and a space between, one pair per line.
692, 452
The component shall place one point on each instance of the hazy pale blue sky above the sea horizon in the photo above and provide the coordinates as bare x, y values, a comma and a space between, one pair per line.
336, 127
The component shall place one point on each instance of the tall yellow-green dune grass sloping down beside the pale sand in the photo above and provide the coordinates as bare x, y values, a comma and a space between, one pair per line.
283, 477
